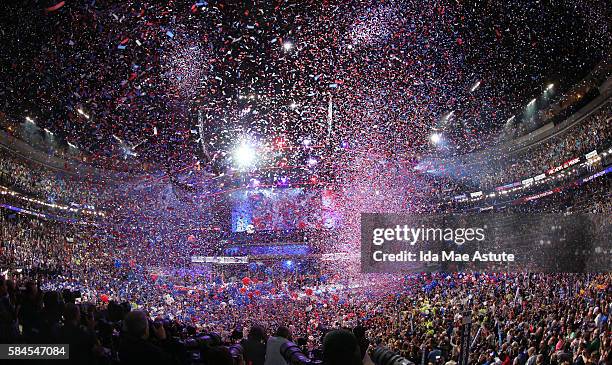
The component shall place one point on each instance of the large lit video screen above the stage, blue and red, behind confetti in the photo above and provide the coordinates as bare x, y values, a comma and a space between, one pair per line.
273, 209
